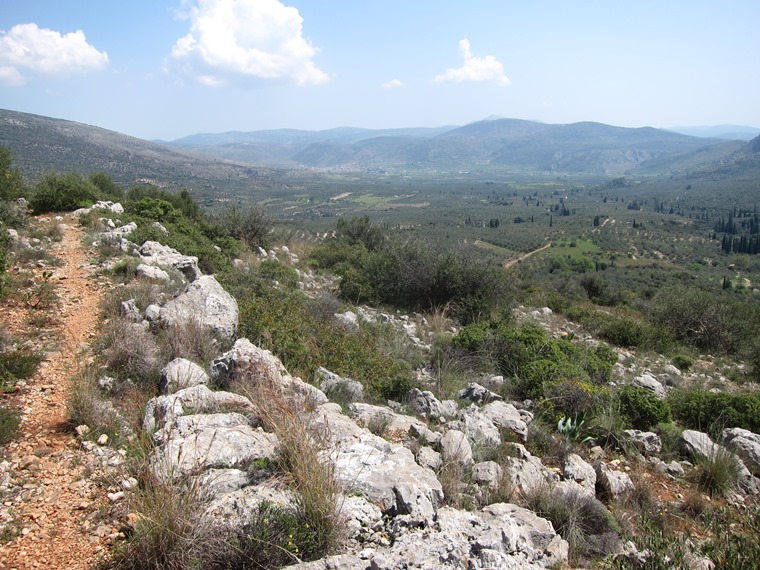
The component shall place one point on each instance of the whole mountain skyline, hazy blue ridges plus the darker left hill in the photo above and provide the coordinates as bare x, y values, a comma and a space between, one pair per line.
213, 163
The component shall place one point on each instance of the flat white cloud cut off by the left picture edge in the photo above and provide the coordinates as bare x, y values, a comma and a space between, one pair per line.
45, 52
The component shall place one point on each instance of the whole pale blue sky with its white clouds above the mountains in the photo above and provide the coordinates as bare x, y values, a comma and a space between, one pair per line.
169, 68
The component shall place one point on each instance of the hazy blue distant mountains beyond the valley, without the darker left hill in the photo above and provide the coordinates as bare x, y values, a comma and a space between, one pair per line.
578, 147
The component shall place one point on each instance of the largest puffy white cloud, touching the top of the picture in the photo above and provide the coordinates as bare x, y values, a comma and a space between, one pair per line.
260, 39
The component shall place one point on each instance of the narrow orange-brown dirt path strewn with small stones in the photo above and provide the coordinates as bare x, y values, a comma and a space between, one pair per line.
56, 506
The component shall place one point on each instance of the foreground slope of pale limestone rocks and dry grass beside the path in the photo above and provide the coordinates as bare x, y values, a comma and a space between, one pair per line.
225, 458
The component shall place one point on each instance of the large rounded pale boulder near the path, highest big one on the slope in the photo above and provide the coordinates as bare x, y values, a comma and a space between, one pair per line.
206, 303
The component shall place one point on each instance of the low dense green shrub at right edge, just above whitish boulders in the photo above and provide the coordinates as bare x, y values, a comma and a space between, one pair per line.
707, 411
